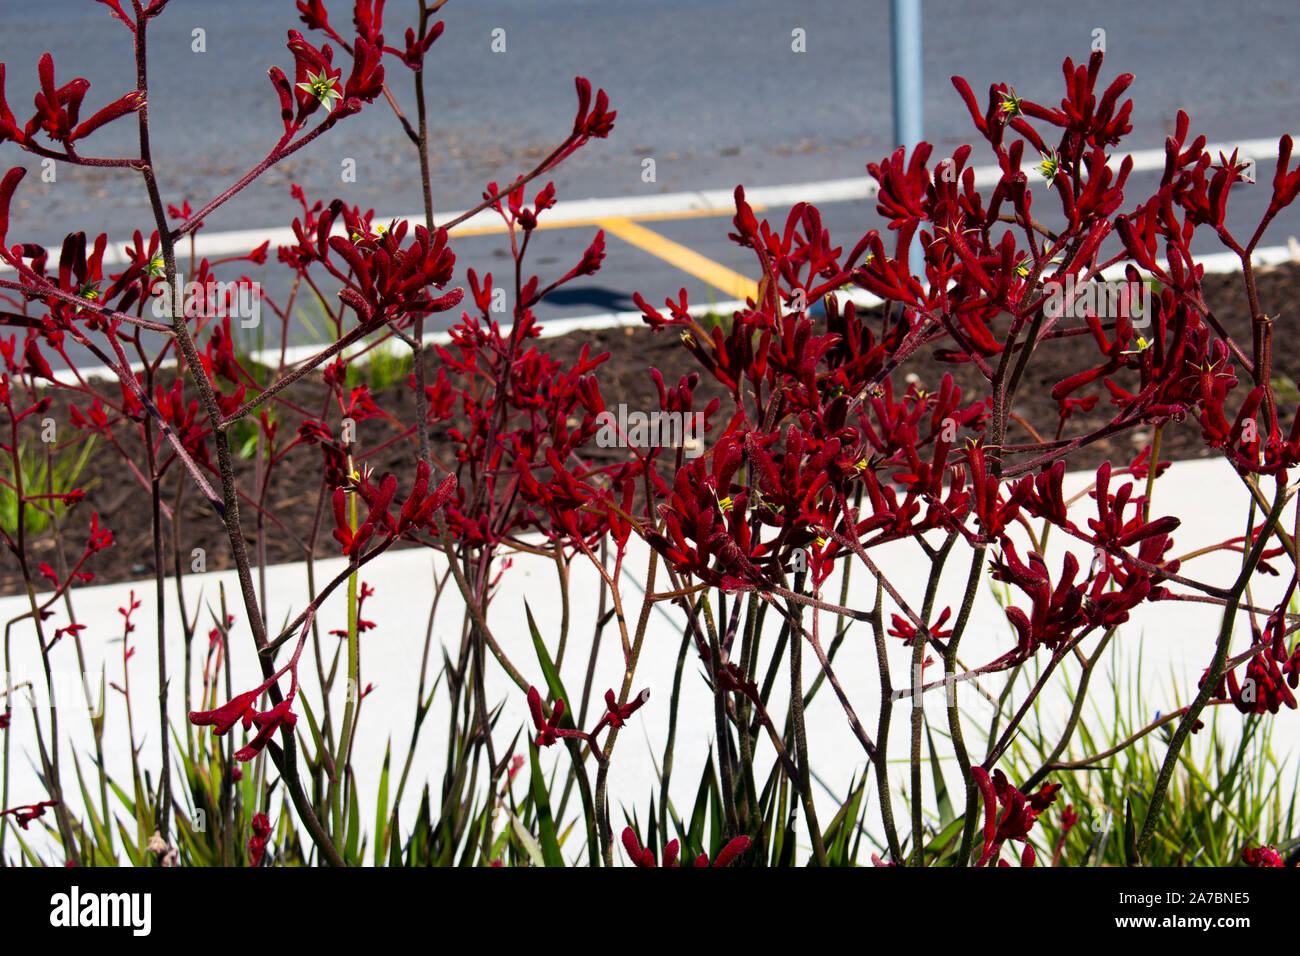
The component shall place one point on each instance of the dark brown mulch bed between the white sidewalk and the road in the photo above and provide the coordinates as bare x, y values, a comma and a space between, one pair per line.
123, 501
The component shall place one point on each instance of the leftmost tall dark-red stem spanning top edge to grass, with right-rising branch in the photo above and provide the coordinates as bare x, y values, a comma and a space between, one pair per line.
231, 514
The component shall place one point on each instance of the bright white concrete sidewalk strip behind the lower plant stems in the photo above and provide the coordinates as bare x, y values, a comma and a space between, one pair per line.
1173, 639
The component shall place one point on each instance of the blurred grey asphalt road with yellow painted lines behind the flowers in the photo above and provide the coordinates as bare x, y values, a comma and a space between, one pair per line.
712, 90
